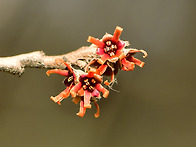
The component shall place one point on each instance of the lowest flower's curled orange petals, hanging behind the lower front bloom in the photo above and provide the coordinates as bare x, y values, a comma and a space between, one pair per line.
82, 109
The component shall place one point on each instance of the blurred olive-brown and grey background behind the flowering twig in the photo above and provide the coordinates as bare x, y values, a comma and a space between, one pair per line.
156, 105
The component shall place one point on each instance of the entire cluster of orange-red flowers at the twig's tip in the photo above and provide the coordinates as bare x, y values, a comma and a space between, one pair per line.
85, 86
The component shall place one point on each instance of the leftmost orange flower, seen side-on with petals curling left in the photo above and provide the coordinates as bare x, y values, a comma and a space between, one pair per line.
69, 81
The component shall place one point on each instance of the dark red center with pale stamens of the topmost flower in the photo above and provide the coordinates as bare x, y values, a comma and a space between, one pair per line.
110, 48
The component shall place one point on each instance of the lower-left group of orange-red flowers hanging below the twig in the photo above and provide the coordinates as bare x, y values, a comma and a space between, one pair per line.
85, 87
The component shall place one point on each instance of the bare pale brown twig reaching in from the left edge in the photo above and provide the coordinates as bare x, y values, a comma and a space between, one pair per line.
38, 59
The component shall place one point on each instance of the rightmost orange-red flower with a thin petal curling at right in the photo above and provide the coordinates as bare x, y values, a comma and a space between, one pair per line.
128, 62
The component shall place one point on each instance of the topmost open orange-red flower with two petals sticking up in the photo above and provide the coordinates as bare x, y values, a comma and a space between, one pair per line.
110, 46
